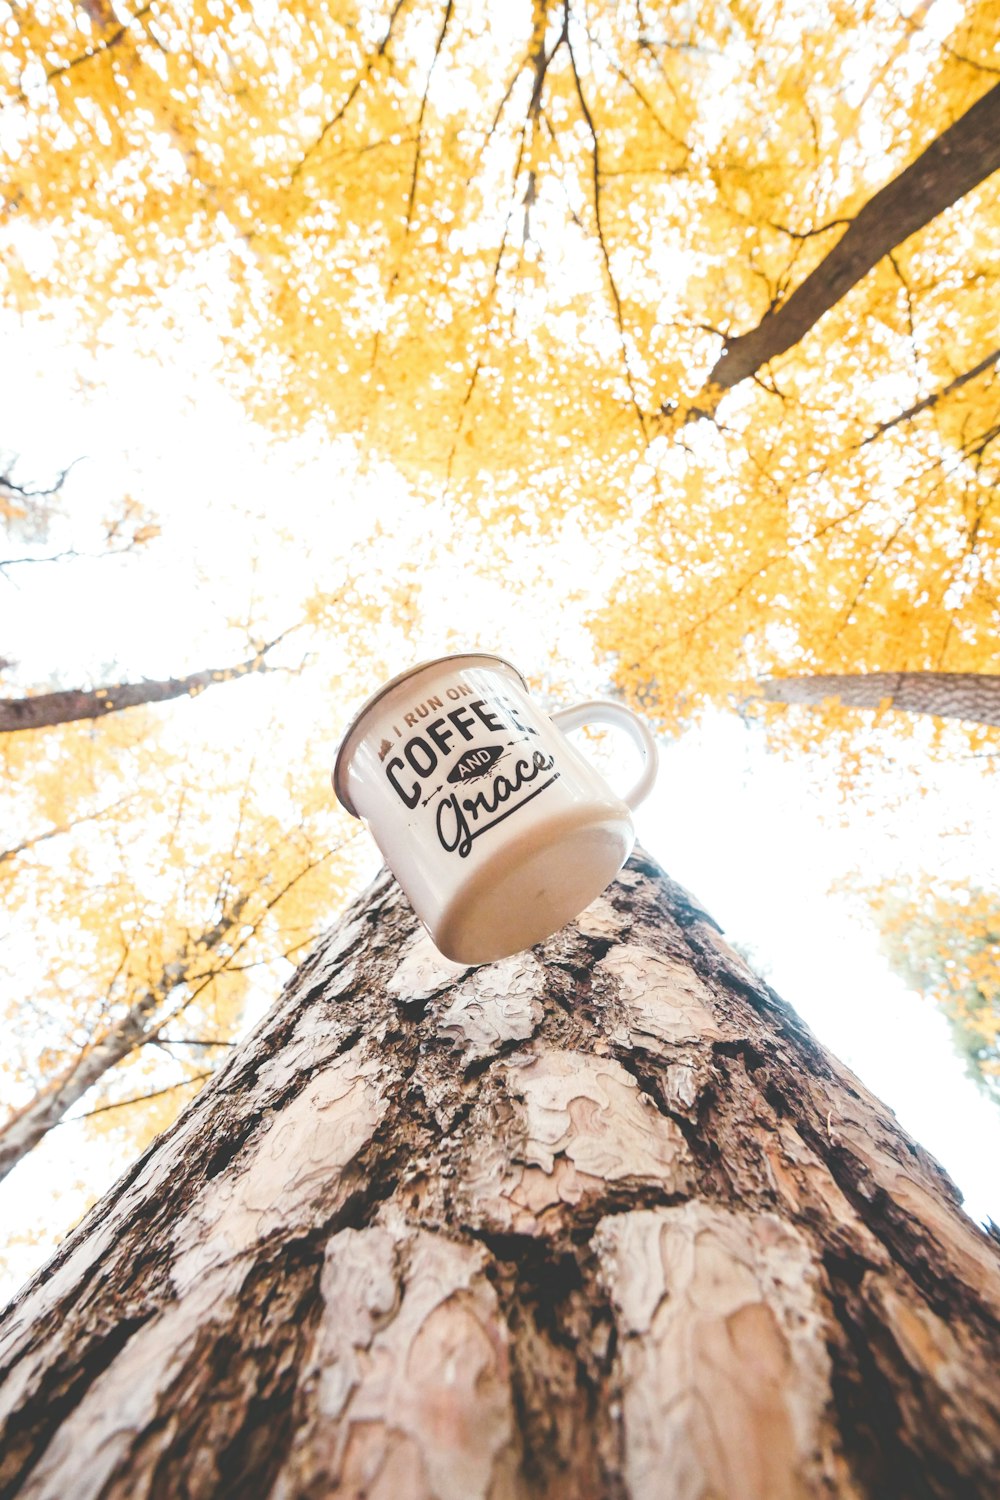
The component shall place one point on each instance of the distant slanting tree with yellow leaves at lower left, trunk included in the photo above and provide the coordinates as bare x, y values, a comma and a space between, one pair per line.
151, 935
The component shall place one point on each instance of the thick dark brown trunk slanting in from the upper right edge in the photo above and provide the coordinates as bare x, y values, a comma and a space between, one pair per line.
956, 163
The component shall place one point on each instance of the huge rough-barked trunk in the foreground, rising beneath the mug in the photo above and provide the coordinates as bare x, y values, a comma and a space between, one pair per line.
600, 1220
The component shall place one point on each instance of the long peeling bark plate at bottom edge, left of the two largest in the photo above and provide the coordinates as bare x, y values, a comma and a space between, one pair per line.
407, 1390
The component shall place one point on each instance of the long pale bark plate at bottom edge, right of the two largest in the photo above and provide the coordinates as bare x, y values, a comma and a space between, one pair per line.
725, 1369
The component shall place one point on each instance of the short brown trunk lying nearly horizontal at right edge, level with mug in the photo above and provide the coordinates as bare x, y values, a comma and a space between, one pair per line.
974, 697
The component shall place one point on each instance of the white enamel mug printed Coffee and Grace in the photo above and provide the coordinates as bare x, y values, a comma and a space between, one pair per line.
499, 830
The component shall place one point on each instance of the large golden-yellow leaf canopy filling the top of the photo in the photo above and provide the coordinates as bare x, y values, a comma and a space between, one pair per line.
507, 247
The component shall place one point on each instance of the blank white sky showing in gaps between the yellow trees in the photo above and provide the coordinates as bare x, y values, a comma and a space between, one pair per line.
759, 839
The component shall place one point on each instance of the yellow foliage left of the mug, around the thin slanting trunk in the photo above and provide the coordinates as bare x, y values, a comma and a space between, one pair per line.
190, 892
